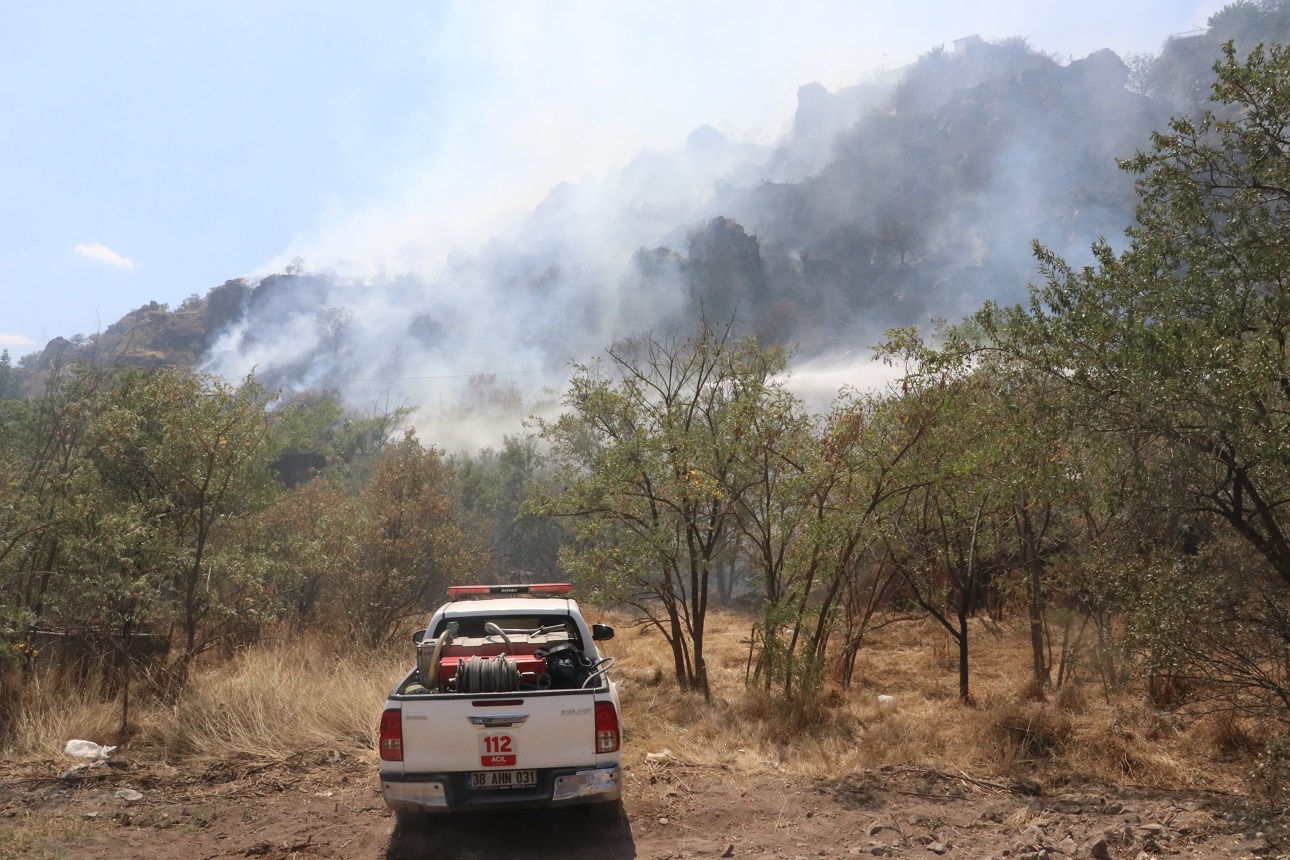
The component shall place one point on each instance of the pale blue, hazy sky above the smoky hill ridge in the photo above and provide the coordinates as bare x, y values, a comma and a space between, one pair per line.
154, 150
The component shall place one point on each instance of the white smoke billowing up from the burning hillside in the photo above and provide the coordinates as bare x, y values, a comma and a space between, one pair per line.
407, 302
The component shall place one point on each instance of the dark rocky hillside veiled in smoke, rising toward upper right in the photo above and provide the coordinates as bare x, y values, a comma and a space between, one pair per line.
892, 203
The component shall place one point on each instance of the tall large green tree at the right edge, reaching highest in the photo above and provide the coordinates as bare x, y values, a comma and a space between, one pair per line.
1178, 345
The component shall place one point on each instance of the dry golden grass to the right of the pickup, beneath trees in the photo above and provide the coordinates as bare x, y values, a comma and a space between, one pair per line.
1009, 732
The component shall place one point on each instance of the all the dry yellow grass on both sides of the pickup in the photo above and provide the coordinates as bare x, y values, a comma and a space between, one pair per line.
278, 703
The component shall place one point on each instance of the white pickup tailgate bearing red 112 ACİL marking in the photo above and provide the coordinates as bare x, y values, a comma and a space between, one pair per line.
500, 732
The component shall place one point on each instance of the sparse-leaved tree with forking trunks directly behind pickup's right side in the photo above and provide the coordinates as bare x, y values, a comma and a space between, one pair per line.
650, 451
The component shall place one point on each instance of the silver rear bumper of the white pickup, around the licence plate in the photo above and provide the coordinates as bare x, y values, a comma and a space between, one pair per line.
448, 792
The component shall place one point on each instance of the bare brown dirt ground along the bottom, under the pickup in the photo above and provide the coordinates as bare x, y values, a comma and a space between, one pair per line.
335, 810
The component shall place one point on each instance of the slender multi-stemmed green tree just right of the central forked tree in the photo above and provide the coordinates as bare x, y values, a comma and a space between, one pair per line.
815, 528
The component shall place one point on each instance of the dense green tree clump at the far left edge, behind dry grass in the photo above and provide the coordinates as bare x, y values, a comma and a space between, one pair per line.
127, 487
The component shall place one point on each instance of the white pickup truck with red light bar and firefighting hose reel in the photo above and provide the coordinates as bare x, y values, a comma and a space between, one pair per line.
510, 706
